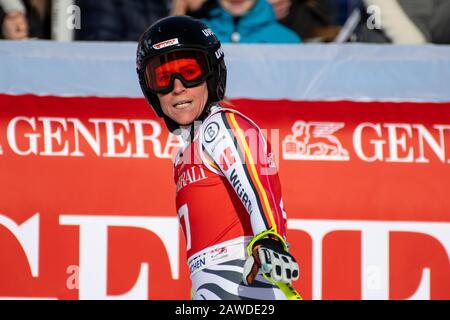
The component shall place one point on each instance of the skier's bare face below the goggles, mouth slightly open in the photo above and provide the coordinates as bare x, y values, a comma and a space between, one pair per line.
184, 105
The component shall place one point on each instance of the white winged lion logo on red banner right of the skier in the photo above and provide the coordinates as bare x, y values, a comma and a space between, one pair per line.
314, 141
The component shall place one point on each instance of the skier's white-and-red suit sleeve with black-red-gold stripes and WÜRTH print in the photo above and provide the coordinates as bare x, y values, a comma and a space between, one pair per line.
236, 147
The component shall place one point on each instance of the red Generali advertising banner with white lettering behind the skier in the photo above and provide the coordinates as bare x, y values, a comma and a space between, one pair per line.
87, 198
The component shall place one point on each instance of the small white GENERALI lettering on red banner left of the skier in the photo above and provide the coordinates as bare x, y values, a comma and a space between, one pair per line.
118, 138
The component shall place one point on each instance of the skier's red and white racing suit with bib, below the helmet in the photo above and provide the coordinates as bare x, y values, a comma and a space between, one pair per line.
227, 191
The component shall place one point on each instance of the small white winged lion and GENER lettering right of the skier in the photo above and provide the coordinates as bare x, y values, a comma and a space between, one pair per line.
388, 142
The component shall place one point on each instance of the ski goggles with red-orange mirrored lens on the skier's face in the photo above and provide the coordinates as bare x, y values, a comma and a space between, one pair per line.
190, 67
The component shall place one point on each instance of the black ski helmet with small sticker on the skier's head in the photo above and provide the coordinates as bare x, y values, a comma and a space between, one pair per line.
179, 33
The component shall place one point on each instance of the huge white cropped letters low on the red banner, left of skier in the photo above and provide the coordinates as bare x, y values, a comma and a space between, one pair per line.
93, 248
